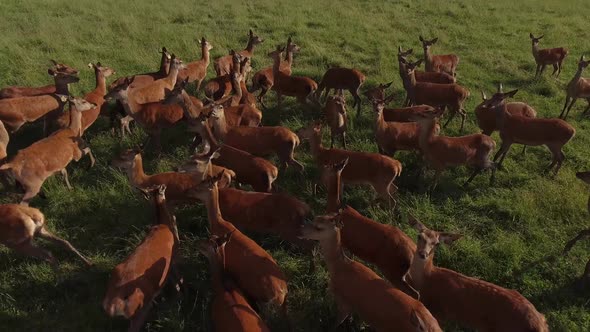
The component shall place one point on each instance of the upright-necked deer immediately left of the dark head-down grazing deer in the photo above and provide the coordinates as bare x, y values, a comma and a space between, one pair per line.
301, 87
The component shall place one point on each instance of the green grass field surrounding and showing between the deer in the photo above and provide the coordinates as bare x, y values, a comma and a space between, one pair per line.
513, 231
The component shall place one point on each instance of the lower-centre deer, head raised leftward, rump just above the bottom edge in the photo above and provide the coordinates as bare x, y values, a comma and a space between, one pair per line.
255, 271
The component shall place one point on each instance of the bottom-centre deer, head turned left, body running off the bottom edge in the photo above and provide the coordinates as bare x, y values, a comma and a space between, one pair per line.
358, 289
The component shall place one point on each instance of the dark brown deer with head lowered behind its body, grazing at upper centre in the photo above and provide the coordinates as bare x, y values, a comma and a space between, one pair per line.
339, 78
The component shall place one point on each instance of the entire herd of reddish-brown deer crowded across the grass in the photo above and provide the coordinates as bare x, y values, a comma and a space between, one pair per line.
414, 293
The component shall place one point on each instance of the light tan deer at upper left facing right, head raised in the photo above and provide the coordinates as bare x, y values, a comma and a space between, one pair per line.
155, 91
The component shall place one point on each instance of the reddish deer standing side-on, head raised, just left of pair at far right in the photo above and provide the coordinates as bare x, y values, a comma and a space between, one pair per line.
441, 152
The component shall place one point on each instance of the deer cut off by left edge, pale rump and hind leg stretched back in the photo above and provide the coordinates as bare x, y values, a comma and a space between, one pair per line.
20, 225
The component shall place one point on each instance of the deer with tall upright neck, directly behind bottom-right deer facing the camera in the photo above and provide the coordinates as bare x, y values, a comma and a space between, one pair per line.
385, 246
